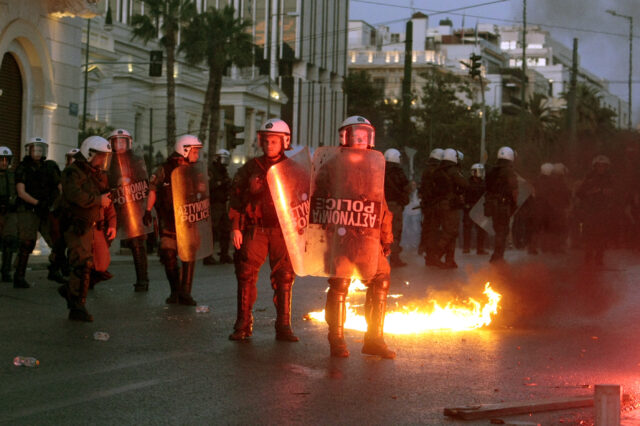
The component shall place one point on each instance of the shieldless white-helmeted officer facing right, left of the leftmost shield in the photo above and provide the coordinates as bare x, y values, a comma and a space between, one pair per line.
85, 193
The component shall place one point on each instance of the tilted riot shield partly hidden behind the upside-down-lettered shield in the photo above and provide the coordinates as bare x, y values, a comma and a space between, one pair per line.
289, 183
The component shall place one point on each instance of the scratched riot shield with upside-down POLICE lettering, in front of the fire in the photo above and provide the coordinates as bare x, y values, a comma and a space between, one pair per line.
347, 193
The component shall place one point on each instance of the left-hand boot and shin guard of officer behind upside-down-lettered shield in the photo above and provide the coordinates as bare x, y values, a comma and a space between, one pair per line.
335, 315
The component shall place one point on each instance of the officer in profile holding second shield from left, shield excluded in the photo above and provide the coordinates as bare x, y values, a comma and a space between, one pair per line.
186, 151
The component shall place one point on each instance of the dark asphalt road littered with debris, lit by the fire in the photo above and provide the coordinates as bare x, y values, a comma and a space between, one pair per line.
561, 330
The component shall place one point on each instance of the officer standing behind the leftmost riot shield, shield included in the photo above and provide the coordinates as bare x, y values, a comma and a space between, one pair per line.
128, 180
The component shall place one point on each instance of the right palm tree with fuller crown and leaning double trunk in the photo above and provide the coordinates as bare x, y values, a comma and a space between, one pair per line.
218, 38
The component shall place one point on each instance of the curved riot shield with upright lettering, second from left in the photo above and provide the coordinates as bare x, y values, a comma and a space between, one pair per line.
190, 190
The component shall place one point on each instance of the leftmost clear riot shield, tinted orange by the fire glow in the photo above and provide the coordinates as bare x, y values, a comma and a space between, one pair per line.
130, 188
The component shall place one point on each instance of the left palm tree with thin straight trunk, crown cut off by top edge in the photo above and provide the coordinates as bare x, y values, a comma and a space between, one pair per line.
166, 17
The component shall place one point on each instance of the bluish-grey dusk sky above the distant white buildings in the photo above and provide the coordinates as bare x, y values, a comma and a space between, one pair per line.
603, 39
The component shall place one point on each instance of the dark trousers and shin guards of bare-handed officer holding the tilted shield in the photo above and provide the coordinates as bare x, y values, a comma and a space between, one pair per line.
257, 243
